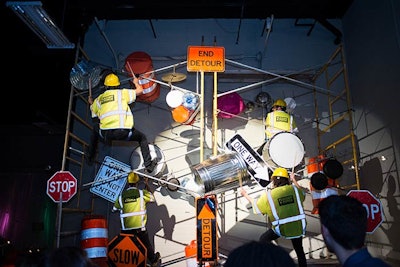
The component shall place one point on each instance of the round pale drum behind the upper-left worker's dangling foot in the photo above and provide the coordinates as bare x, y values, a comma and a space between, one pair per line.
137, 161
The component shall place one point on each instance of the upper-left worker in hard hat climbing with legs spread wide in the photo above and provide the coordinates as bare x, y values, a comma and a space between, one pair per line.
116, 119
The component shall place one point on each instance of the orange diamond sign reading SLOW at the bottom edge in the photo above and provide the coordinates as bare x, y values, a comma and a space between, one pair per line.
127, 251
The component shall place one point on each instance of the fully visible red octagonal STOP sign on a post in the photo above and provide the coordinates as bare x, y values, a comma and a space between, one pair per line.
62, 186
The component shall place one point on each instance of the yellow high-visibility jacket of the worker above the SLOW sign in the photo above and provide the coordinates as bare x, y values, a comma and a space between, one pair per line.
132, 206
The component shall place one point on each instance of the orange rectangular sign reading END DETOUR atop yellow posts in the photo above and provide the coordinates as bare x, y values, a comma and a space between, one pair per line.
206, 58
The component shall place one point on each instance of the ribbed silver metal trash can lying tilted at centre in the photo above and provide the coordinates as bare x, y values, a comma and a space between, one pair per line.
222, 173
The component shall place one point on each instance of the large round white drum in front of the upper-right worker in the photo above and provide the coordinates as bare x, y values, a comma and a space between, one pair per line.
283, 150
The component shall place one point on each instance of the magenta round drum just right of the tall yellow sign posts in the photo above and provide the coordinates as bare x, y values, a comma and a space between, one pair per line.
231, 103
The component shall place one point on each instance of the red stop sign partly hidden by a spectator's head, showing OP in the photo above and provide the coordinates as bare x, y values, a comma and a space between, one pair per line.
373, 207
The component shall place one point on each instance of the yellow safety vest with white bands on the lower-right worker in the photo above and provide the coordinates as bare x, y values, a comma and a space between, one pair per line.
287, 227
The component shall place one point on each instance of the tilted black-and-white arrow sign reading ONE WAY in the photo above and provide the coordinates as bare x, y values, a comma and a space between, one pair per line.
256, 166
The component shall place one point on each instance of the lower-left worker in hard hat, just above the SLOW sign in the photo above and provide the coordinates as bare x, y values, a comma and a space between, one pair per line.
132, 204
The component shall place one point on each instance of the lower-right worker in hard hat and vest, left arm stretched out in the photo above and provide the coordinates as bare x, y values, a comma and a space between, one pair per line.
284, 207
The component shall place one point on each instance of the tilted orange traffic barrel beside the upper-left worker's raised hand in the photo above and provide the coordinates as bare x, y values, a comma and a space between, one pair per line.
140, 64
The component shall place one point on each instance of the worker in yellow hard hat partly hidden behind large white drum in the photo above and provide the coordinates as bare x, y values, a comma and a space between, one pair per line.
278, 120
